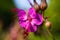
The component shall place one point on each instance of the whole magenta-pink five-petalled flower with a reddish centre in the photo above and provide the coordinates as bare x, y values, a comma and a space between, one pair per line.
29, 20
